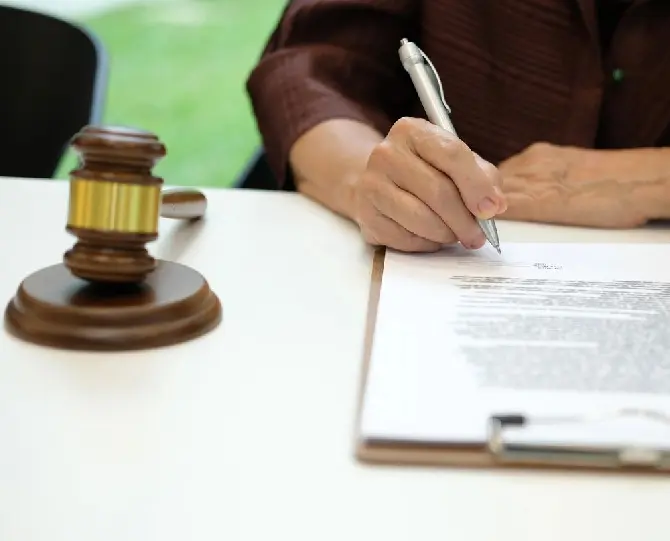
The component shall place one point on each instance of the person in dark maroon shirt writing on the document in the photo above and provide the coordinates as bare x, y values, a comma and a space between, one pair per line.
562, 108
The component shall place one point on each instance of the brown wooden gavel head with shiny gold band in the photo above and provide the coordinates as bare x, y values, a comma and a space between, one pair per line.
114, 204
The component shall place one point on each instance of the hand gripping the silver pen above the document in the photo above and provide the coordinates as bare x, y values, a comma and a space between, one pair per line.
422, 188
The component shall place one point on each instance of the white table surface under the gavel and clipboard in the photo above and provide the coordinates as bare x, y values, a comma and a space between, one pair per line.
247, 433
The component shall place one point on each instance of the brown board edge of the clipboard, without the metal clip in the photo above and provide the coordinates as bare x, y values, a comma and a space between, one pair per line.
476, 456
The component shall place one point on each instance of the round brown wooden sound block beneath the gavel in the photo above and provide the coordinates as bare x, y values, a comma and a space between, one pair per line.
54, 308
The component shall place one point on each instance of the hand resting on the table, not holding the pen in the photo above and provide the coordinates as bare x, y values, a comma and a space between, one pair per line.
573, 186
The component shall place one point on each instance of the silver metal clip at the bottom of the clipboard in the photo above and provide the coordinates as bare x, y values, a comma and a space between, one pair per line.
586, 455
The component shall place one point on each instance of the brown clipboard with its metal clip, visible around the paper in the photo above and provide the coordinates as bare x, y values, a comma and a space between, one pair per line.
498, 451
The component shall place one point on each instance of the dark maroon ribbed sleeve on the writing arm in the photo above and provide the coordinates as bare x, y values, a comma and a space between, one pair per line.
330, 59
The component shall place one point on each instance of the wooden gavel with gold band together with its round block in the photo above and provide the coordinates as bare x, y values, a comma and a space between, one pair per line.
109, 293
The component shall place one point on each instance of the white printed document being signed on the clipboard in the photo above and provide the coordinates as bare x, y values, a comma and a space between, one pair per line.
543, 329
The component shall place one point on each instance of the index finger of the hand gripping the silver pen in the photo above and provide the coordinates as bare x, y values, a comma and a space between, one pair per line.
477, 182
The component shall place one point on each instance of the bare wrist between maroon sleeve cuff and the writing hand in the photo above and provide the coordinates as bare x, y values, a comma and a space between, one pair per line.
328, 159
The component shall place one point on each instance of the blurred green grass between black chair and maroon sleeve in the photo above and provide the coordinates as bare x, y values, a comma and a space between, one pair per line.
178, 69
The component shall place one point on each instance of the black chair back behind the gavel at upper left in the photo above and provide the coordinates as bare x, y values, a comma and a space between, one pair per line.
53, 78
